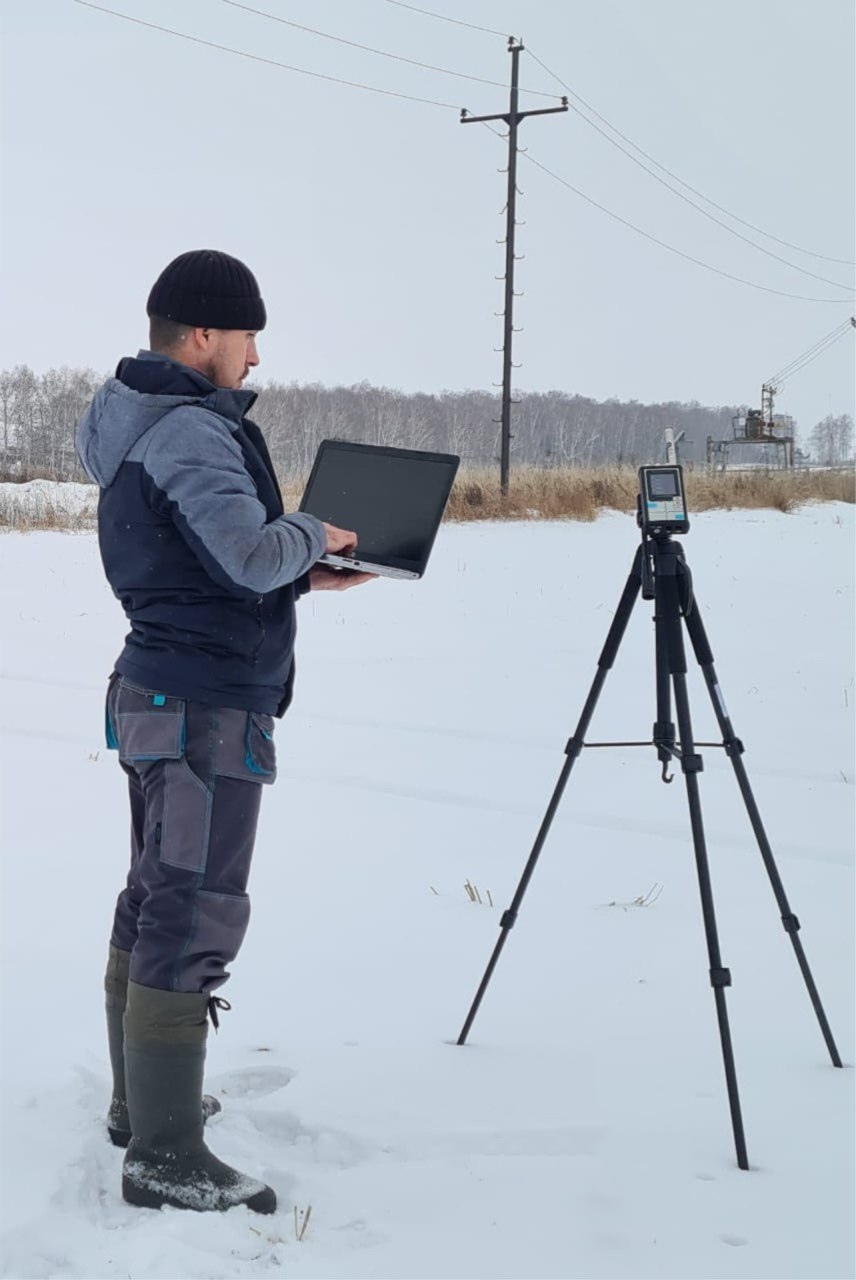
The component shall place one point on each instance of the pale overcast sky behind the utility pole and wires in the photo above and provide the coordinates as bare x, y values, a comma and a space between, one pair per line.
372, 222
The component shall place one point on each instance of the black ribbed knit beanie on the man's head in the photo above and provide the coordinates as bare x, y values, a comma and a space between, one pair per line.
208, 290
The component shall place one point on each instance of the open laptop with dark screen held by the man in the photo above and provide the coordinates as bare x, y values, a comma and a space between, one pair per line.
392, 499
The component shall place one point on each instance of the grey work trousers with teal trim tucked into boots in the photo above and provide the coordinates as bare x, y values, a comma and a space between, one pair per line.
195, 776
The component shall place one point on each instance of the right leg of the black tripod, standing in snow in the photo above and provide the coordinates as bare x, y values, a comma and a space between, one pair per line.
735, 751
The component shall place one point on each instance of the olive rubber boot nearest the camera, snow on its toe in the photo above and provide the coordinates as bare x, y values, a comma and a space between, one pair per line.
167, 1162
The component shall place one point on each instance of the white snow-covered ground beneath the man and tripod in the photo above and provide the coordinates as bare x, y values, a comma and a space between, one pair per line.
584, 1131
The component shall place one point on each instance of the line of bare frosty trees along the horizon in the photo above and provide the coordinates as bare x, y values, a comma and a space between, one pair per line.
39, 415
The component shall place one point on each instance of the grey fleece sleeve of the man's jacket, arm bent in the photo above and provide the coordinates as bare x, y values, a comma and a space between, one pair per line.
198, 465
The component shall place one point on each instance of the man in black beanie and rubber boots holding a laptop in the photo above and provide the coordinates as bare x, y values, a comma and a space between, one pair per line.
208, 569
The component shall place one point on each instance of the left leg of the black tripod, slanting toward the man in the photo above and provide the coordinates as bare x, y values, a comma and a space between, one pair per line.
573, 751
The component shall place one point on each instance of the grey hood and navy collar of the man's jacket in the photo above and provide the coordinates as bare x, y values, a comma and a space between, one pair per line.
145, 390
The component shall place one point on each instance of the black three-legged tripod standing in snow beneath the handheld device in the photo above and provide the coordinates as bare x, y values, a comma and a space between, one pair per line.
662, 574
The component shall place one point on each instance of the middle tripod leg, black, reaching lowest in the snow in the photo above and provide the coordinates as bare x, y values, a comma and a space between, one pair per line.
669, 619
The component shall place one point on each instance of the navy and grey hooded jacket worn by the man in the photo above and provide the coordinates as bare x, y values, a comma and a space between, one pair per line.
194, 540
